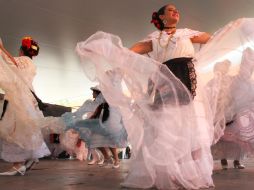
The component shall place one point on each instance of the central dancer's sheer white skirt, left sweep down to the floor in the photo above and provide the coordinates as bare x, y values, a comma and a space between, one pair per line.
171, 142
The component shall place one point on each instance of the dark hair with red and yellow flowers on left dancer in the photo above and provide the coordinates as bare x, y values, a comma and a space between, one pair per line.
29, 47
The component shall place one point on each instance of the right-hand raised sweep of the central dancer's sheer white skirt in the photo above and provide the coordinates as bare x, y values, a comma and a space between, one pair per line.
225, 67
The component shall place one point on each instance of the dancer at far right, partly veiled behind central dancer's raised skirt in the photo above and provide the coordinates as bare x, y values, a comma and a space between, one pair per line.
237, 110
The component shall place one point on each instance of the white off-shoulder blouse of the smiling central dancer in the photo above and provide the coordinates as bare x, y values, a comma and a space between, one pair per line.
166, 47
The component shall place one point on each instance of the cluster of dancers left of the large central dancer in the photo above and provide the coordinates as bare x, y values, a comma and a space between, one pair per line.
105, 133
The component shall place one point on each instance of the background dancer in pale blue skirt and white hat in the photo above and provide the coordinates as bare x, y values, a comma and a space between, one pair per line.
103, 129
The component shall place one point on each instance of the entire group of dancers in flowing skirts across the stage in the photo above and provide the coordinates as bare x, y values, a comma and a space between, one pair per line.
177, 107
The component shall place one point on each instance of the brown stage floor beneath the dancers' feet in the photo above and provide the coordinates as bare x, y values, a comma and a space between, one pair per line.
76, 175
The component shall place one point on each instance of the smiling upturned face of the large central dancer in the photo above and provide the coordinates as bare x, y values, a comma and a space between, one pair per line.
171, 15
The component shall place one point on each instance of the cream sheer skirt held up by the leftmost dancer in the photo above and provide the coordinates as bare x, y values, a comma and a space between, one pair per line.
22, 121
